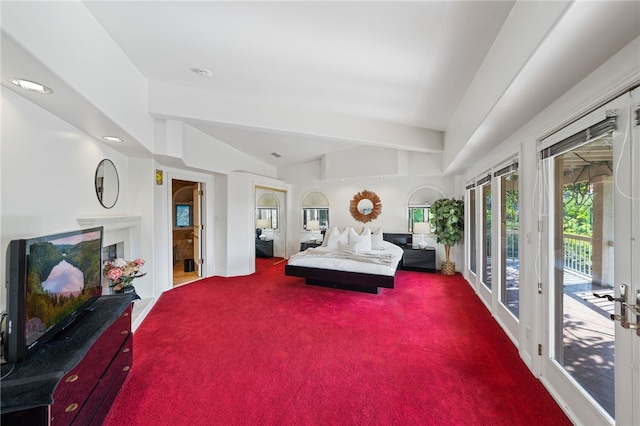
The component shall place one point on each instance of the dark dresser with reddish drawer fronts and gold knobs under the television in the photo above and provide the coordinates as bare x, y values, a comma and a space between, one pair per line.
74, 380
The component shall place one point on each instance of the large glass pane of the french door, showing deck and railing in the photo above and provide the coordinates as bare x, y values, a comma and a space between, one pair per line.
584, 241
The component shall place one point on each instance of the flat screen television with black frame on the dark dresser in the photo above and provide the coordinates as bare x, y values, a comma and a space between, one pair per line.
51, 283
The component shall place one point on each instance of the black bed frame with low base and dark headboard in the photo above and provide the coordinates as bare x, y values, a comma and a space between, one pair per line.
366, 283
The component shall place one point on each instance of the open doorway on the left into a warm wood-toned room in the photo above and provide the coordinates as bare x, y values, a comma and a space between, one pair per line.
187, 228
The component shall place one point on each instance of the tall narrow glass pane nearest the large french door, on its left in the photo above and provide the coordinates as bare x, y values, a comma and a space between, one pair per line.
509, 242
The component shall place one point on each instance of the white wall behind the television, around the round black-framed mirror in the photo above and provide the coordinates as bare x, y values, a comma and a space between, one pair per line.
48, 170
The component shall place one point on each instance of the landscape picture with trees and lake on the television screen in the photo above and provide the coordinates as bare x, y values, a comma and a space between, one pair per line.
62, 275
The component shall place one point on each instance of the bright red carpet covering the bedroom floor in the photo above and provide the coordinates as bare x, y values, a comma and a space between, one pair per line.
268, 350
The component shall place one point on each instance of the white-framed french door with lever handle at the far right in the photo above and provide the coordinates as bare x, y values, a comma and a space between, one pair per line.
590, 264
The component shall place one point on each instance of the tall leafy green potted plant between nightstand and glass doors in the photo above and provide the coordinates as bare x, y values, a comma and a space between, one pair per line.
447, 220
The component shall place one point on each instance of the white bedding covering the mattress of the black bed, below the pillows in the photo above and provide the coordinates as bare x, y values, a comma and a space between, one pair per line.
378, 262
